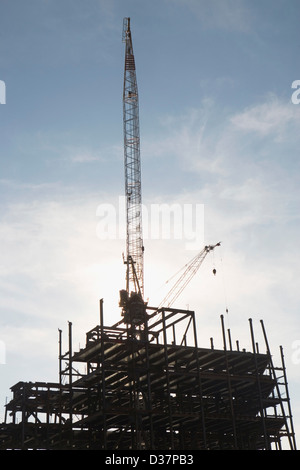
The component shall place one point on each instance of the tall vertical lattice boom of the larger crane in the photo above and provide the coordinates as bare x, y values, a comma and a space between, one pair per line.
132, 166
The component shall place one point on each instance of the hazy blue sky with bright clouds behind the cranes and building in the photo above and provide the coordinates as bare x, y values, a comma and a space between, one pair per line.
218, 127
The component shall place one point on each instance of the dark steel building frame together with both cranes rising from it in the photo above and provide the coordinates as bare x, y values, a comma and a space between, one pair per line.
144, 383
